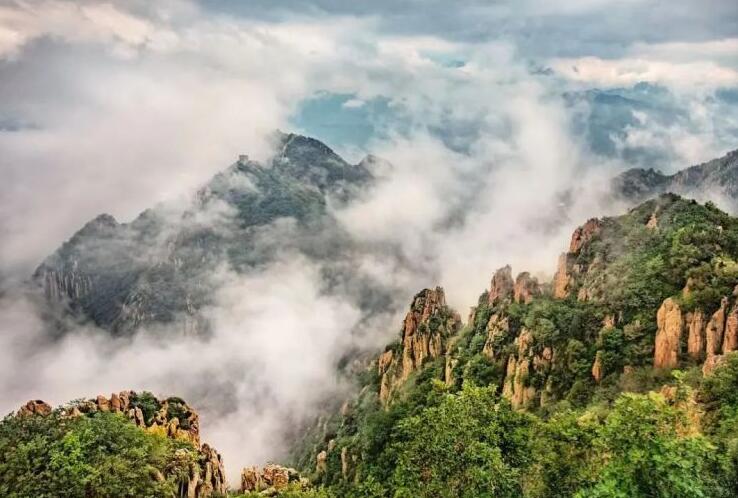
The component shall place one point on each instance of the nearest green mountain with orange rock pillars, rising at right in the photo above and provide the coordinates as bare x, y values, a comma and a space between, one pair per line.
561, 388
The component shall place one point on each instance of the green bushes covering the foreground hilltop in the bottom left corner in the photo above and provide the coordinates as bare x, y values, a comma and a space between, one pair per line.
101, 455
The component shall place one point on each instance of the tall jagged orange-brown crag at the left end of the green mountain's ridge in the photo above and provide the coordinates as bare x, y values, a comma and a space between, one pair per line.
425, 333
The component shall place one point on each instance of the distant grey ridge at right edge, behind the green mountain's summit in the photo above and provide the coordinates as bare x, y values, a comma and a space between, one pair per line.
716, 178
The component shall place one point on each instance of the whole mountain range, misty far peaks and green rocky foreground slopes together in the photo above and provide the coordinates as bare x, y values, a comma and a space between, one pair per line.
616, 377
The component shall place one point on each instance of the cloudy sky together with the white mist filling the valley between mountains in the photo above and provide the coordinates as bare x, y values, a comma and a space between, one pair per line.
487, 112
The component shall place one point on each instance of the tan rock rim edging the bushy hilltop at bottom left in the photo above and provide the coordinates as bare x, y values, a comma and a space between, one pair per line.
172, 418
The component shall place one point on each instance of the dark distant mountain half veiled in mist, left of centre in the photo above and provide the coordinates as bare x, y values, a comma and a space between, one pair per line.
159, 268
